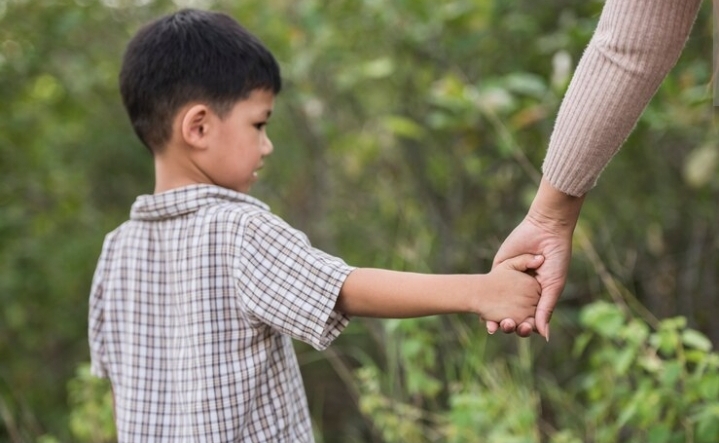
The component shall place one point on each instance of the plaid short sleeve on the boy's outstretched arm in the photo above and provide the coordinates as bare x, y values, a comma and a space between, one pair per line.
287, 284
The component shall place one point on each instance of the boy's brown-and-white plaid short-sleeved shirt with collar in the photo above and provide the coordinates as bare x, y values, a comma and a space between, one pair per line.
193, 304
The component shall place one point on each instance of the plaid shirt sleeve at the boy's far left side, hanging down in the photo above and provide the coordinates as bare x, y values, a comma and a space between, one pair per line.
96, 322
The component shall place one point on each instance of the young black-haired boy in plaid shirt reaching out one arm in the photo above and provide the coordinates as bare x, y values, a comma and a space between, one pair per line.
196, 298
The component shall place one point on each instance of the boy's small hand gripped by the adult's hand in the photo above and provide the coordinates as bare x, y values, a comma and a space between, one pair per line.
511, 292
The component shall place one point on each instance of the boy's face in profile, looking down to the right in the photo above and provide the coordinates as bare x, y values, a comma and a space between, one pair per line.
240, 142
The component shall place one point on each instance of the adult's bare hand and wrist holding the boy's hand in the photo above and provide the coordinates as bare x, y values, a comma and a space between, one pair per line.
546, 230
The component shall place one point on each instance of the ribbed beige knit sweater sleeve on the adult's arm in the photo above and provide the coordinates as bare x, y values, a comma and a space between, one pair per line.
635, 45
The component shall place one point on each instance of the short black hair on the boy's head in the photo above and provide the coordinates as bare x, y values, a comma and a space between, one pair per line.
187, 56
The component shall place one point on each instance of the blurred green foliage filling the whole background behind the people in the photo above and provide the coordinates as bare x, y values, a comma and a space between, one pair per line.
409, 135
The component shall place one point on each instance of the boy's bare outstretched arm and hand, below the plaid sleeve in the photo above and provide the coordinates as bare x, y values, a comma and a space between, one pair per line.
506, 292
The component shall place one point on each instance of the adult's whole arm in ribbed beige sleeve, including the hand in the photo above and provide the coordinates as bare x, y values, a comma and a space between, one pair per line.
635, 45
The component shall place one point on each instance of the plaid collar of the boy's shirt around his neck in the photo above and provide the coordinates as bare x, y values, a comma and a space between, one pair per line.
185, 200
